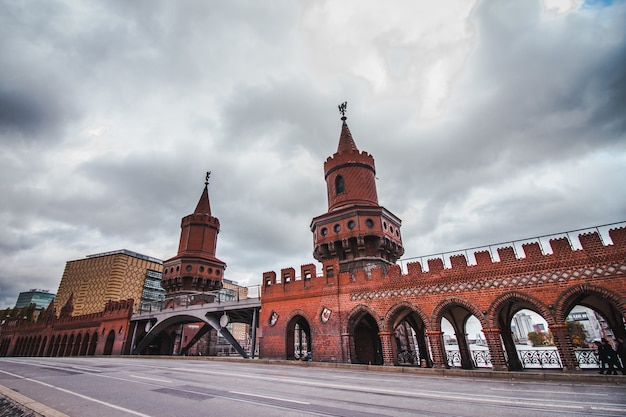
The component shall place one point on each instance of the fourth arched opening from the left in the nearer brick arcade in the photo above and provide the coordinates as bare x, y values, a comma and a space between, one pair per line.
464, 342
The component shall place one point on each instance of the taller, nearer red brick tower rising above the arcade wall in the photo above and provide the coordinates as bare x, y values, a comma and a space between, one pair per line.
355, 230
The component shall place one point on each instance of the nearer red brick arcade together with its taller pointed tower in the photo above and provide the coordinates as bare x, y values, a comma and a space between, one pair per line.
361, 308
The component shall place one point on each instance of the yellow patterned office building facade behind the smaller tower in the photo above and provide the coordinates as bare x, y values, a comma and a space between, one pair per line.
99, 278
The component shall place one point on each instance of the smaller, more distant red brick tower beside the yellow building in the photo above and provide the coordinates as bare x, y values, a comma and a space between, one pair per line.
195, 269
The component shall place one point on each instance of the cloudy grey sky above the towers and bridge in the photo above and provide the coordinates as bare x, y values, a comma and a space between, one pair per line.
489, 121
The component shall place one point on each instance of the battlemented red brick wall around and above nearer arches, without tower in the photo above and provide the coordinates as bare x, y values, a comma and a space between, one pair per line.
547, 282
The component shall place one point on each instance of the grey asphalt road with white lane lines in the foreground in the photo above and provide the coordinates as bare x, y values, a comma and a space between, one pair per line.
174, 387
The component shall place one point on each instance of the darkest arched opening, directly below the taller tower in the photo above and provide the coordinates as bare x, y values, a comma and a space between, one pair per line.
366, 347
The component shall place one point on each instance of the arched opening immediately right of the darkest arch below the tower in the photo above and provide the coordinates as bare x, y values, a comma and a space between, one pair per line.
410, 338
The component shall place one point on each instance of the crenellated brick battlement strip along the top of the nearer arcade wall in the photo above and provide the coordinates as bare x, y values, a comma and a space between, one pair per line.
288, 283
